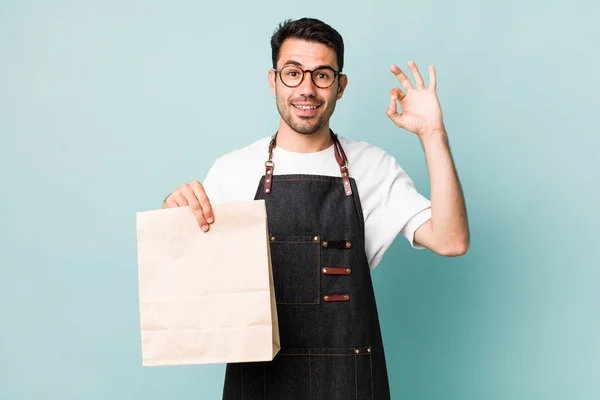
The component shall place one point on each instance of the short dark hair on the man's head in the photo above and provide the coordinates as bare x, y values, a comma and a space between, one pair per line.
309, 29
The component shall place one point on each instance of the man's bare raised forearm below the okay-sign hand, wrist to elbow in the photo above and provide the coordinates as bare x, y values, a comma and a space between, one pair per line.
448, 211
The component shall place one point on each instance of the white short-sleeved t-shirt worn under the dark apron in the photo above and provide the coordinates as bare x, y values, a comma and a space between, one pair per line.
390, 202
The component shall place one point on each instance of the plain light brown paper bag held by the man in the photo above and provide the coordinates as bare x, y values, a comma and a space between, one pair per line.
206, 297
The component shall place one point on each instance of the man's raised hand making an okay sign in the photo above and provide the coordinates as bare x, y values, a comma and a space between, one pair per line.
421, 111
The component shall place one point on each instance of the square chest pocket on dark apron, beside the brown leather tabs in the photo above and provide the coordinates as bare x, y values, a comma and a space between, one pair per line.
296, 268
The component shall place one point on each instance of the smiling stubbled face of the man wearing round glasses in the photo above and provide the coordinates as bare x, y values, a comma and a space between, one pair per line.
306, 108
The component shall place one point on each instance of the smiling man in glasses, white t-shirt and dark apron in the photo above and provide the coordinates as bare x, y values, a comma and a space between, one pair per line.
334, 206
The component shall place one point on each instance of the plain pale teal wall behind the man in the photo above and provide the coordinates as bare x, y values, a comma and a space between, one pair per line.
107, 106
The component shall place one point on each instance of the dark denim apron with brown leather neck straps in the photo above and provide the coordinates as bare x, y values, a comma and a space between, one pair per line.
331, 347
